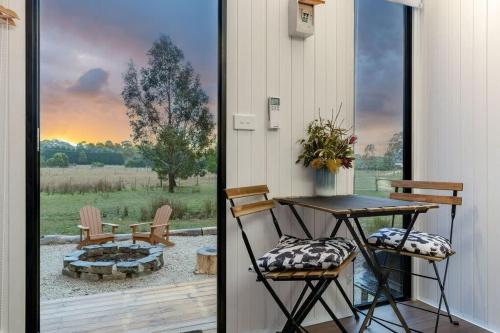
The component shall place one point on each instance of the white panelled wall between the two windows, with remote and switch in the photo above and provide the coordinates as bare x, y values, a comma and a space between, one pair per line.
308, 75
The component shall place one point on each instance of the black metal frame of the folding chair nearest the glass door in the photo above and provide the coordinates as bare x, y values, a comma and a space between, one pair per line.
302, 307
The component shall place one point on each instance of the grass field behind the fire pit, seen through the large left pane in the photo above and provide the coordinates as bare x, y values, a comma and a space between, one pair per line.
60, 206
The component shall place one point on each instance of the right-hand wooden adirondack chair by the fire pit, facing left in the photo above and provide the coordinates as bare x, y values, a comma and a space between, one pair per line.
159, 228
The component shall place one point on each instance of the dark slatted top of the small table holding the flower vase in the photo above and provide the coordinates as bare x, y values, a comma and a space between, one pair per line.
356, 204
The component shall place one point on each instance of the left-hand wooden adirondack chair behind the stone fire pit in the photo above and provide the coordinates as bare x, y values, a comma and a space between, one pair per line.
91, 225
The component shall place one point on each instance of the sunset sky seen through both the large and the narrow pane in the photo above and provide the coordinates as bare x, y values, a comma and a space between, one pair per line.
86, 45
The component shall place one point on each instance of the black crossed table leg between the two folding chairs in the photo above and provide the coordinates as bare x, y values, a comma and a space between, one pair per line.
372, 262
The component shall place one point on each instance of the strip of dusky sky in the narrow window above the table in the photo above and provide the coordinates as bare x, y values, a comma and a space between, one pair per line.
379, 72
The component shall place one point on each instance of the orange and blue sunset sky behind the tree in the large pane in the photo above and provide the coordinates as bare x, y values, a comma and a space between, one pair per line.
85, 48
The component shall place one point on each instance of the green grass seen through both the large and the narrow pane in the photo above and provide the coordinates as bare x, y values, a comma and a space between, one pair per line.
60, 212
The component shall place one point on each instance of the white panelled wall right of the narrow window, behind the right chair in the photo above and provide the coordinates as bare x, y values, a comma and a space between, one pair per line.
457, 138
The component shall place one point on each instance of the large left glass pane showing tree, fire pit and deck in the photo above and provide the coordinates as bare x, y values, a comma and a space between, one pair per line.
128, 138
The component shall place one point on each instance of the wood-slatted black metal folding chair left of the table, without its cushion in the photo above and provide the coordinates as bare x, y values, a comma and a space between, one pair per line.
323, 278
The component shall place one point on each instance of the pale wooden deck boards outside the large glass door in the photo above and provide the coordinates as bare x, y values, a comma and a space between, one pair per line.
175, 308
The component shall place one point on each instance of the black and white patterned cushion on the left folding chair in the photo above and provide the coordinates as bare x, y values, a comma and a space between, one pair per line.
296, 253
